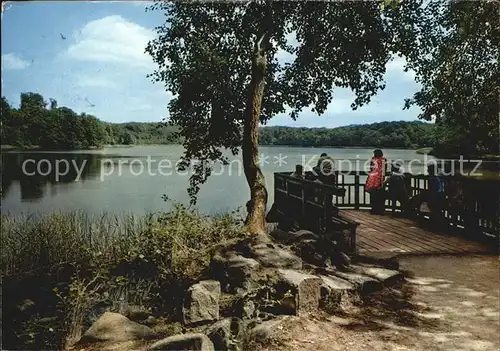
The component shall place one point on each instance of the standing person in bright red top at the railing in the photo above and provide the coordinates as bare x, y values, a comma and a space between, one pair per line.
374, 182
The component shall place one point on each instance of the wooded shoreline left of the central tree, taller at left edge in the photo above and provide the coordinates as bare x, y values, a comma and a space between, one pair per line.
38, 123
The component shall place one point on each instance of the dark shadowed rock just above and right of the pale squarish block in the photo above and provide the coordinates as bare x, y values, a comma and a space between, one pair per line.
234, 270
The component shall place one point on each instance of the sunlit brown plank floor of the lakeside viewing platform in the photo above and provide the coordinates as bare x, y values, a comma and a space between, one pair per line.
396, 234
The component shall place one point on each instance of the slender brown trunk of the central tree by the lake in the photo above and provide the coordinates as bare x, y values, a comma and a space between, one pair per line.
256, 218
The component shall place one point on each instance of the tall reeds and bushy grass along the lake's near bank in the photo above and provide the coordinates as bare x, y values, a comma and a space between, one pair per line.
60, 271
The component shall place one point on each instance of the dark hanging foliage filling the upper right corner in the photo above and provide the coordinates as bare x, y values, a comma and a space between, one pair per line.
456, 60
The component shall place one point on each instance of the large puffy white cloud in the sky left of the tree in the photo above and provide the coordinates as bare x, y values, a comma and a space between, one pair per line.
112, 39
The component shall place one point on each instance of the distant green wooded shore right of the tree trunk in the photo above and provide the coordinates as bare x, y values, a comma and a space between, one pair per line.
385, 134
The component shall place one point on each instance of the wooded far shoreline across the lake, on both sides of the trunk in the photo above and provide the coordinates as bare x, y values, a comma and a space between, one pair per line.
38, 123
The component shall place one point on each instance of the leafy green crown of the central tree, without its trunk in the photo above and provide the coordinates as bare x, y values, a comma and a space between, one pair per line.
205, 51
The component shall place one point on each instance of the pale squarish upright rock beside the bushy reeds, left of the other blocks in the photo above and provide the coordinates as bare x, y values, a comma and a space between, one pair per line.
201, 303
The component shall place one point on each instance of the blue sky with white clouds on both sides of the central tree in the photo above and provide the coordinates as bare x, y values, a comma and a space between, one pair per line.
100, 67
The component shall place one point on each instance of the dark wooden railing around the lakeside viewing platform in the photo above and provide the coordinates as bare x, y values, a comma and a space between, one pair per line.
476, 210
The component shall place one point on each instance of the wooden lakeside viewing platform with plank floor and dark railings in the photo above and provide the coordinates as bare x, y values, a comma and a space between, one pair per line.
308, 203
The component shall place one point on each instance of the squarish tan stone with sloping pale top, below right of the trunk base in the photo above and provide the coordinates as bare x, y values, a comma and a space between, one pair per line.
305, 288
